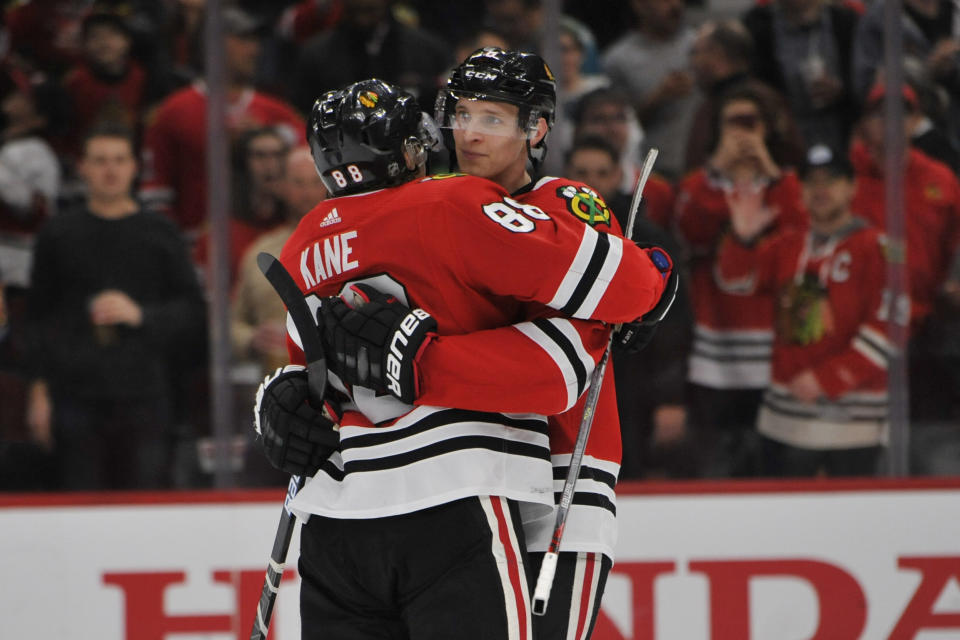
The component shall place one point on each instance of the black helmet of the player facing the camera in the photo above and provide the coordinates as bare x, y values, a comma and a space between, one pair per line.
514, 77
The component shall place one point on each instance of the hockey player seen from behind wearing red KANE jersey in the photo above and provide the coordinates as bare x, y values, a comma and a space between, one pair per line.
414, 522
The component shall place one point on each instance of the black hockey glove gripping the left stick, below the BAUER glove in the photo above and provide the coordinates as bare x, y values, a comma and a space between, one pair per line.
296, 438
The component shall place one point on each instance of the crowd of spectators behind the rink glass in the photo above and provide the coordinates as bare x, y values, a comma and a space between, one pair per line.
739, 108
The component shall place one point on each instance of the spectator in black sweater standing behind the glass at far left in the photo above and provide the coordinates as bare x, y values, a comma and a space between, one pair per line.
113, 291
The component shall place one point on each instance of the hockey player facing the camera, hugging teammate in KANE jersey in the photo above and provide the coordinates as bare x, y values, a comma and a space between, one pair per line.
499, 106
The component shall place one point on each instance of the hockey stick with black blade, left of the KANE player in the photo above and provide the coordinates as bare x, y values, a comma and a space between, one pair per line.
296, 304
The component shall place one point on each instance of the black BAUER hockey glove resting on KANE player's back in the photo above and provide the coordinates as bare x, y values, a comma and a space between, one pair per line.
375, 341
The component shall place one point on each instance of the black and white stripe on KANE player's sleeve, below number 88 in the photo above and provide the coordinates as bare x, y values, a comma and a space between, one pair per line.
589, 274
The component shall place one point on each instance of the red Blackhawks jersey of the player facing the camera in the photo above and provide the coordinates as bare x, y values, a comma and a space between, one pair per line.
531, 366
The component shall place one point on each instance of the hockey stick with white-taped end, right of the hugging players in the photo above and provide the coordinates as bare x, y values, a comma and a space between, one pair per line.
541, 593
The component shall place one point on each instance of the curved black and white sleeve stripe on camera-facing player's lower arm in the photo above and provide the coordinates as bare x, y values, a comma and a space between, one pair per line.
561, 341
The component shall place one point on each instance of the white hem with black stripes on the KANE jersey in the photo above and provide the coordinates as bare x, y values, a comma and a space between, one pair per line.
431, 456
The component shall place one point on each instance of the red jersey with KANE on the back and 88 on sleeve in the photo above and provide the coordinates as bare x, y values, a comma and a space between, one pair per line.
476, 259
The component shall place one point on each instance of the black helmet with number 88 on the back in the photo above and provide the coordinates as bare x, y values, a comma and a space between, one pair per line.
368, 135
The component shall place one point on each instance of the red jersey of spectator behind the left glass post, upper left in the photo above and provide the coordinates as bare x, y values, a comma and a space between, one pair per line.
175, 147
